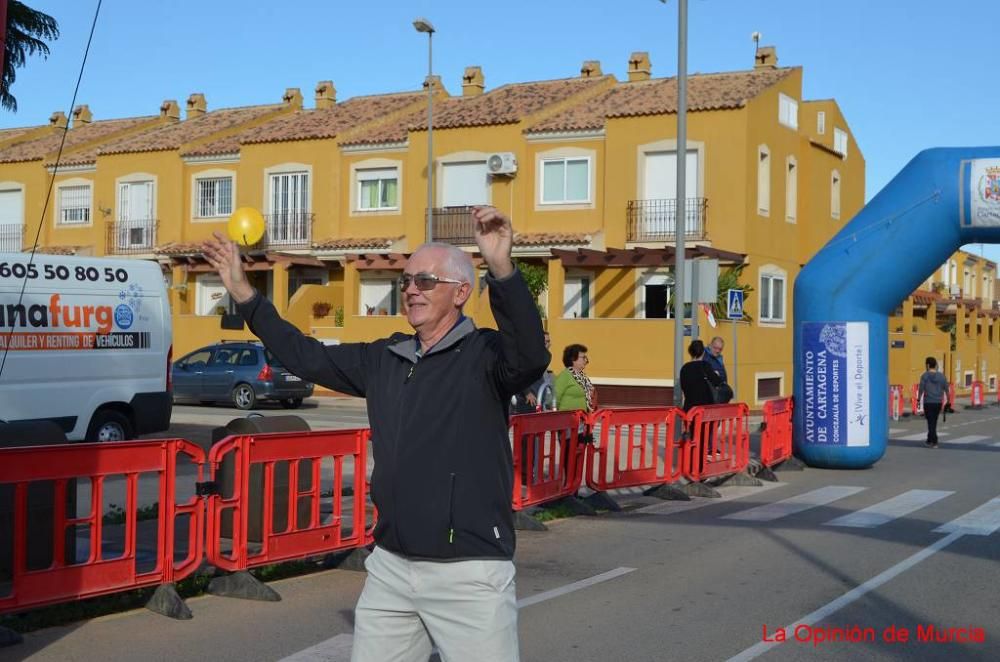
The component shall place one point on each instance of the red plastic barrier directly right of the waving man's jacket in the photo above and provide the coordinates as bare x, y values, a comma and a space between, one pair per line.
548, 456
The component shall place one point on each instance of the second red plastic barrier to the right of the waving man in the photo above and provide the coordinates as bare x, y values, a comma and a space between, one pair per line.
639, 446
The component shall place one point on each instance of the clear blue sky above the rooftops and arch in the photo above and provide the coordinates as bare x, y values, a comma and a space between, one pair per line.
908, 74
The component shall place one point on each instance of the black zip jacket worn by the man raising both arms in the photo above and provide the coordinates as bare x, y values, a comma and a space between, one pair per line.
443, 477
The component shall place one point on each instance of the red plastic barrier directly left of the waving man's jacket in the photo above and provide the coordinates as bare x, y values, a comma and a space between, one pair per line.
305, 532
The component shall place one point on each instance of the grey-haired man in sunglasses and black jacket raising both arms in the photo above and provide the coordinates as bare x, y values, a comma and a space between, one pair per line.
438, 404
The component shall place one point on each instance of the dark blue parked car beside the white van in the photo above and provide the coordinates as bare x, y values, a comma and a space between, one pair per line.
242, 373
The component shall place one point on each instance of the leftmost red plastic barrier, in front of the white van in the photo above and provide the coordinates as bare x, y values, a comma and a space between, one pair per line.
25, 470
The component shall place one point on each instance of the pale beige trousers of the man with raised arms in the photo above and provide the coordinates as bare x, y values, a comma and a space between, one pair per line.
468, 609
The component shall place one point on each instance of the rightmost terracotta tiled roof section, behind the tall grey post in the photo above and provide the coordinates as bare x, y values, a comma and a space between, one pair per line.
659, 96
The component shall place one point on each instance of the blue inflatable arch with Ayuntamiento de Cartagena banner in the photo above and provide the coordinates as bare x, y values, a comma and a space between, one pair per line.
944, 198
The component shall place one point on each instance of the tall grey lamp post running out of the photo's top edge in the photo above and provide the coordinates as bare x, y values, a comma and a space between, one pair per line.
679, 222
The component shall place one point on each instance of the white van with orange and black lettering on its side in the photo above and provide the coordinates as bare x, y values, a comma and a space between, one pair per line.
88, 345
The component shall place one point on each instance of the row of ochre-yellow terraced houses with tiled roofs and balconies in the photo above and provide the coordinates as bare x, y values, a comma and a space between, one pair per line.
584, 165
